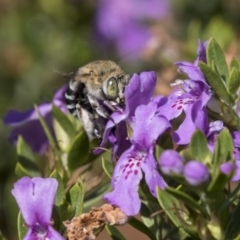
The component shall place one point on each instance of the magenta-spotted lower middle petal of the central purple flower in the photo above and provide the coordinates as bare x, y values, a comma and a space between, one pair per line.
126, 178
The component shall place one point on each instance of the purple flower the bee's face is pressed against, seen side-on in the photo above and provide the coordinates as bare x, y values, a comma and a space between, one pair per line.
138, 91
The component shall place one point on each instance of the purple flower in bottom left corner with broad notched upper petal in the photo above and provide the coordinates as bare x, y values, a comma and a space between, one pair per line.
35, 198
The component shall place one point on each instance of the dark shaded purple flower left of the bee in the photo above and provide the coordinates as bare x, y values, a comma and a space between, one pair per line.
28, 126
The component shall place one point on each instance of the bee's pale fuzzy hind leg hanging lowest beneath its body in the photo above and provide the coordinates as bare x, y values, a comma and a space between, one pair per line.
91, 128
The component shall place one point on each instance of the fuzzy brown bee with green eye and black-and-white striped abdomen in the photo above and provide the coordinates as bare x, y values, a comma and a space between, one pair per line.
94, 92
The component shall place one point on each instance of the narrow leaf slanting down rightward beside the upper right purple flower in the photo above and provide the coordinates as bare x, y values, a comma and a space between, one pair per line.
216, 83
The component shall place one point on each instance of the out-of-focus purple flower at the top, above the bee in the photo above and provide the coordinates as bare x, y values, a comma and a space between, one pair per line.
122, 22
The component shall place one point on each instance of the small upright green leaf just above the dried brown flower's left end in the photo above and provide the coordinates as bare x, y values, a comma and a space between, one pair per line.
76, 198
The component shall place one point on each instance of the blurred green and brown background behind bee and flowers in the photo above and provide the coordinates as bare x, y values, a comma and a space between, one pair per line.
41, 39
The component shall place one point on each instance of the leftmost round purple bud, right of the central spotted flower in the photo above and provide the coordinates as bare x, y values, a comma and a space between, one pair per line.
171, 162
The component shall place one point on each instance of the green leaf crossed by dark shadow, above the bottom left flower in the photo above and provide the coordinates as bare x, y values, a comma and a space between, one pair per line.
26, 160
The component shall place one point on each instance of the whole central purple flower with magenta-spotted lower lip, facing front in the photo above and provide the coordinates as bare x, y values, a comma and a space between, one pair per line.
147, 127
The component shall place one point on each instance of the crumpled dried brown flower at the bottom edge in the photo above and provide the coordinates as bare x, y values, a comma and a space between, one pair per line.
82, 227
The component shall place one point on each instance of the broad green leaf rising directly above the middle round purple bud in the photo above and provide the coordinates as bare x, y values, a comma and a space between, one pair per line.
199, 148
